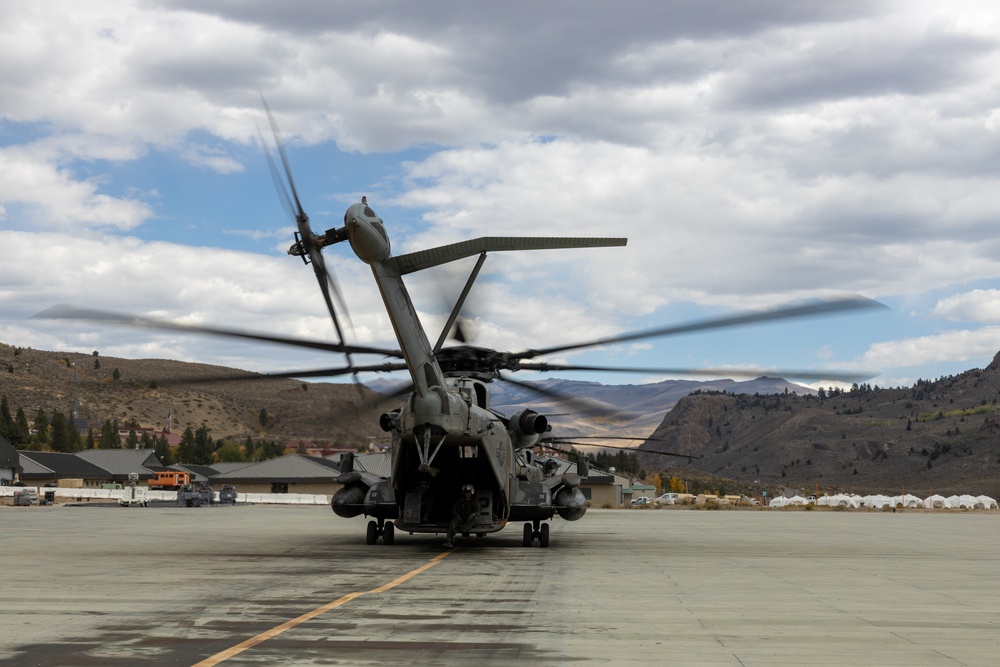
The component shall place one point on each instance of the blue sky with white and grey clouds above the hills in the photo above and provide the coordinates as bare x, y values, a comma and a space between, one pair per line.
755, 155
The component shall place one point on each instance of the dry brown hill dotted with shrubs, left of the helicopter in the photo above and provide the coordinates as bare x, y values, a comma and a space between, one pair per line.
337, 414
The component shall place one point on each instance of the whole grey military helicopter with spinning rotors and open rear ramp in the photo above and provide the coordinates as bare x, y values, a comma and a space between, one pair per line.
444, 434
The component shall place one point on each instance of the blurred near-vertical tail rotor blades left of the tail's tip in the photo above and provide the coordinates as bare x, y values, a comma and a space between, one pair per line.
327, 283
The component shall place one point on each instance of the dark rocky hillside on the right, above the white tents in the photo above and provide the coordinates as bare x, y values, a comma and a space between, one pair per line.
942, 436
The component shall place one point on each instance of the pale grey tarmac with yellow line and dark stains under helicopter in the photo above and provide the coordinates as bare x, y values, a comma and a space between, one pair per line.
298, 586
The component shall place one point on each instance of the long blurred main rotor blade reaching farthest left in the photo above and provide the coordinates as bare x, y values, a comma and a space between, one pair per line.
63, 312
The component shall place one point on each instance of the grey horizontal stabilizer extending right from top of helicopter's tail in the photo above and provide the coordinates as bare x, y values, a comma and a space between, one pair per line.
425, 259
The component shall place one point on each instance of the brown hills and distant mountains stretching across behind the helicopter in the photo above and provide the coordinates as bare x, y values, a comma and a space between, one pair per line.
941, 436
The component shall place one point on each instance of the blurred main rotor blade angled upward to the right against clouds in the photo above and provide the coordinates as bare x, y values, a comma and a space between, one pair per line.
788, 312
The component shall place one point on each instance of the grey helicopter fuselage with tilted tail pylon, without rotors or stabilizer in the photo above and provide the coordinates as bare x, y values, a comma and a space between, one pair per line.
445, 435
